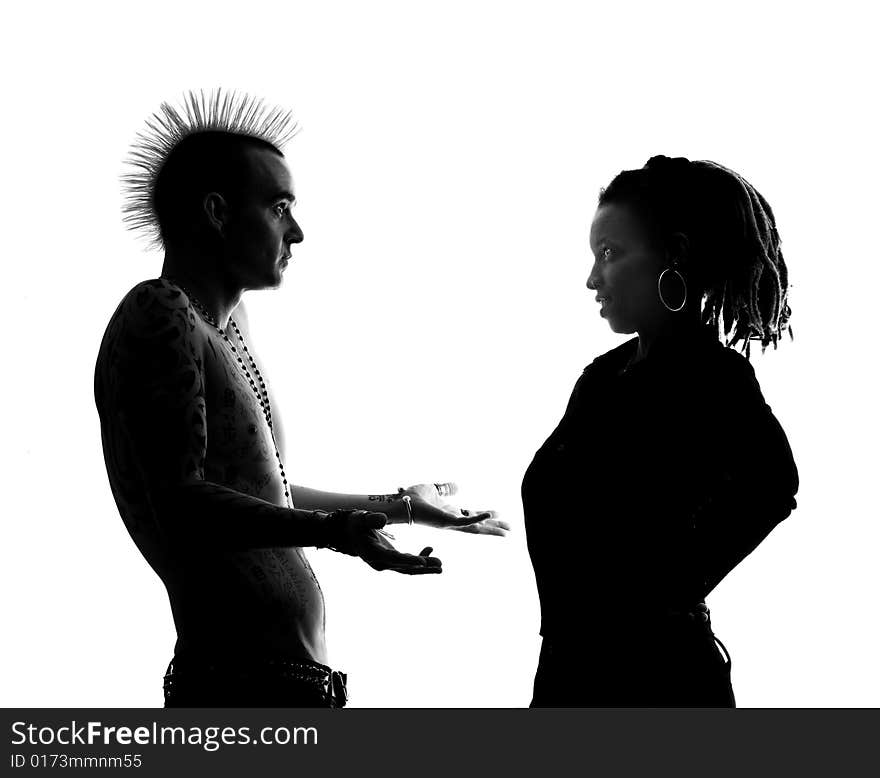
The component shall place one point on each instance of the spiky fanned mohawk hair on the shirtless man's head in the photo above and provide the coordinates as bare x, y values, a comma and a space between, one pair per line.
189, 150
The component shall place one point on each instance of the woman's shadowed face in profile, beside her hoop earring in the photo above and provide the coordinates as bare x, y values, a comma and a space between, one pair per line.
625, 270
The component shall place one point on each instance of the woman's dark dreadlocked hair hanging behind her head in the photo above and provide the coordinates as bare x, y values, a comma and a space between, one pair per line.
734, 251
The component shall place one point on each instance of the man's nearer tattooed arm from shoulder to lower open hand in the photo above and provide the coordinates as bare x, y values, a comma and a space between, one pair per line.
156, 383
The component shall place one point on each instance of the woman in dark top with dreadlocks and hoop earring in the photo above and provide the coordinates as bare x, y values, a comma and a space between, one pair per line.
668, 467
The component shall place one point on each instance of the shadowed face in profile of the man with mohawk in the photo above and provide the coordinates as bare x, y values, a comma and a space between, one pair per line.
261, 227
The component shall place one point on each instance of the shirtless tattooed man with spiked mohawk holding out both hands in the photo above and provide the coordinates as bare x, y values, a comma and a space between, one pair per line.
193, 450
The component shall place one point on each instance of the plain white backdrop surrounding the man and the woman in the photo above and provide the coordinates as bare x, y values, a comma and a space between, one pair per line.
434, 320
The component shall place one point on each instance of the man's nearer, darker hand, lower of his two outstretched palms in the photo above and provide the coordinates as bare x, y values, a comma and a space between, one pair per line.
357, 533
